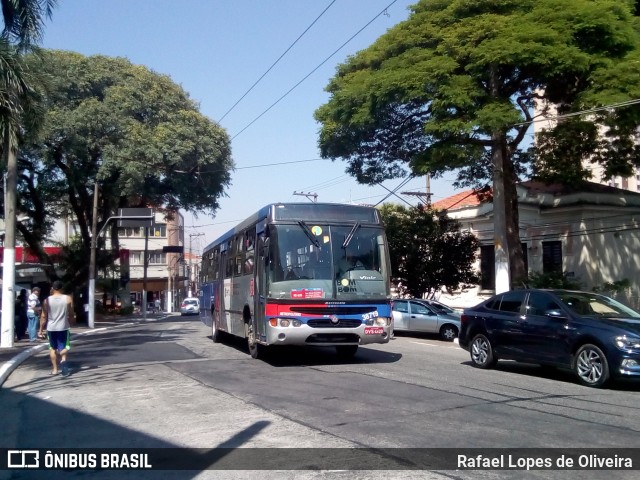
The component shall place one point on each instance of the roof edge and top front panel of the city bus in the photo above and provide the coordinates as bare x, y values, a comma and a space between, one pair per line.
309, 212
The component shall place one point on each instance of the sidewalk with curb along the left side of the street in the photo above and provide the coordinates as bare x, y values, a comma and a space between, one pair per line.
11, 358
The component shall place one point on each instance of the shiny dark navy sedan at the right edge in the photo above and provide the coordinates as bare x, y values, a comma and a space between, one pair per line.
593, 335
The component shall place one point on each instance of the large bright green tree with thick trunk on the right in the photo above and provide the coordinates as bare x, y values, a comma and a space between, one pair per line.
455, 88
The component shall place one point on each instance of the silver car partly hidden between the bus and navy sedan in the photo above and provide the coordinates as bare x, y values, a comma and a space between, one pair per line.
415, 315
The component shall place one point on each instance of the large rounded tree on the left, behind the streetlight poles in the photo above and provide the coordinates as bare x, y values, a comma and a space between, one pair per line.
134, 132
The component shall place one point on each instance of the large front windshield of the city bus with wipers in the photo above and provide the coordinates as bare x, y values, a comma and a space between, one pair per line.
327, 262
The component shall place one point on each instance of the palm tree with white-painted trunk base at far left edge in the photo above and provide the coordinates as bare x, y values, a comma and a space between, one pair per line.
23, 25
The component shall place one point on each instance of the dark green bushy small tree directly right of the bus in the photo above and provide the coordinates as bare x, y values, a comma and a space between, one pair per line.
428, 252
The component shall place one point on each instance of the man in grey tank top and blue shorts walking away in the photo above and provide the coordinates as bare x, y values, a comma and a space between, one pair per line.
56, 314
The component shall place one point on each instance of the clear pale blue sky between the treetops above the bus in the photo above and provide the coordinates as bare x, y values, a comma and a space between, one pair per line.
216, 50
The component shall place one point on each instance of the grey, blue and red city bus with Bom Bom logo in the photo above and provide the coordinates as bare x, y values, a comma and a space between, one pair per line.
315, 274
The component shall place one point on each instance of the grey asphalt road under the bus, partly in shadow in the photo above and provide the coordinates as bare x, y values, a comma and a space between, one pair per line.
166, 384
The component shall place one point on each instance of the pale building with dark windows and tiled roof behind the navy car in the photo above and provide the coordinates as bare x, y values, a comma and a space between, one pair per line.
591, 234
